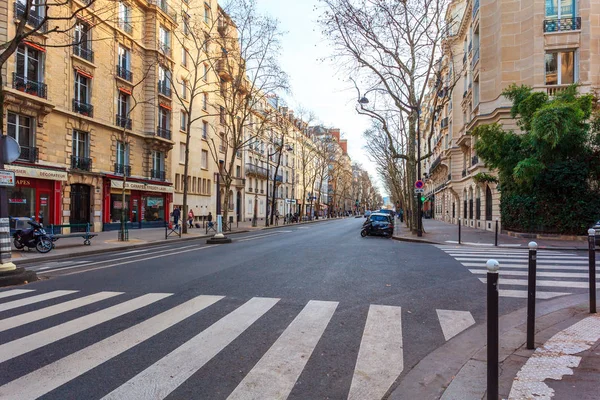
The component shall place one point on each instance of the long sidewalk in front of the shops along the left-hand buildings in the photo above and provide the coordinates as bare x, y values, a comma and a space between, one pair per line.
138, 238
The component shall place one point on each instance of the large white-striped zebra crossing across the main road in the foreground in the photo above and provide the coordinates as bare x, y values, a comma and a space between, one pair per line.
379, 361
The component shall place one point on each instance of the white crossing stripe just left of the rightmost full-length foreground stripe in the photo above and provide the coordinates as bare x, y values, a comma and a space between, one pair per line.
275, 374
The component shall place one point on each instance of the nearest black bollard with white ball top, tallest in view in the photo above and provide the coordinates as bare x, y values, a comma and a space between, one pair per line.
492, 317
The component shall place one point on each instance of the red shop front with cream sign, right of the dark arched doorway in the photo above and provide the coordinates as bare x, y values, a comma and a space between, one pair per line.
141, 204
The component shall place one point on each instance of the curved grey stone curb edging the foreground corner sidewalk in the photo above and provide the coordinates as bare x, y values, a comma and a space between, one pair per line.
432, 375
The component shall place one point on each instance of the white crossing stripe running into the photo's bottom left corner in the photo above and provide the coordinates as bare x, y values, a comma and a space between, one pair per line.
51, 376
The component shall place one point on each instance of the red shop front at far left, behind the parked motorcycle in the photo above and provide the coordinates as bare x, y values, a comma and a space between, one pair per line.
37, 193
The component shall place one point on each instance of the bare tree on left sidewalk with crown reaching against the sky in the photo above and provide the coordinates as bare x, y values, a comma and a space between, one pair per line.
247, 63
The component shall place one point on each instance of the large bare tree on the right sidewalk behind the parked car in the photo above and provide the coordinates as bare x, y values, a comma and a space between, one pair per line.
394, 49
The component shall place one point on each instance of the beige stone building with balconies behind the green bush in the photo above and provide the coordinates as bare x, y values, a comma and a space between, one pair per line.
545, 44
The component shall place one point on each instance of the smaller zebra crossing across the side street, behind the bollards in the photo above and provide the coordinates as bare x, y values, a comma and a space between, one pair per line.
558, 273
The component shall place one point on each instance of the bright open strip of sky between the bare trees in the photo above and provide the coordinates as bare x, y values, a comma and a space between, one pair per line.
316, 85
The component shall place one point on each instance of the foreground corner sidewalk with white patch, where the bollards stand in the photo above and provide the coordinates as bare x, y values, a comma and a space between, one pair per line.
564, 365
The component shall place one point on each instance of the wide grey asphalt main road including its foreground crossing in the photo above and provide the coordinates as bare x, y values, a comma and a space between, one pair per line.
281, 313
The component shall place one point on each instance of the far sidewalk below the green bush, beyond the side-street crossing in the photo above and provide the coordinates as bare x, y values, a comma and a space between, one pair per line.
438, 232
